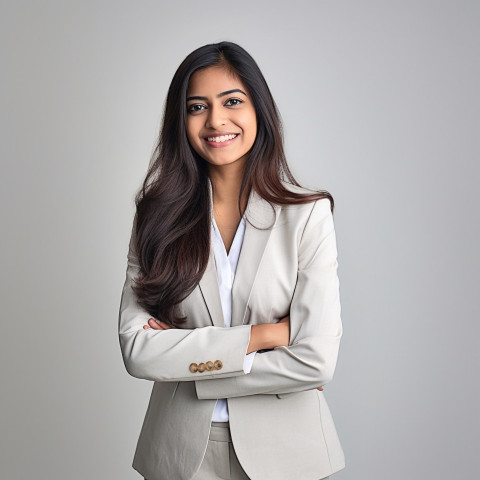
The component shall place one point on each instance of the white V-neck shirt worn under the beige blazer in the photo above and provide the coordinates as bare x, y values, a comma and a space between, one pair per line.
226, 265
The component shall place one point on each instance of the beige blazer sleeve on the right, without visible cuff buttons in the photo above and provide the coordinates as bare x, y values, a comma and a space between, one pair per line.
315, 323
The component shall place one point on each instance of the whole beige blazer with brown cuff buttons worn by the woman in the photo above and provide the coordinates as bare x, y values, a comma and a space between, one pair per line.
280, 423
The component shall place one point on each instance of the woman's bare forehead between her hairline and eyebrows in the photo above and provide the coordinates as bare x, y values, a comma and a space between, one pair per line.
213, 80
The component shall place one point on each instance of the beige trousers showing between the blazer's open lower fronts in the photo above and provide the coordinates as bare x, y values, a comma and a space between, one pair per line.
220, 461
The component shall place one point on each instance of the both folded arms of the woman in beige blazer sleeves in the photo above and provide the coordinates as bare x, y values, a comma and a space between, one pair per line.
301, 350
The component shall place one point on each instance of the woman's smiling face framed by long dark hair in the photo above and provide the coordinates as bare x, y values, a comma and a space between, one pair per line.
221, 119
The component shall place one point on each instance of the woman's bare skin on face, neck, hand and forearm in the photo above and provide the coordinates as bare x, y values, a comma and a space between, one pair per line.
218, 103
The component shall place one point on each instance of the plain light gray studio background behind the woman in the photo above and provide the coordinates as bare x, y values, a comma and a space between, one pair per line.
380, 104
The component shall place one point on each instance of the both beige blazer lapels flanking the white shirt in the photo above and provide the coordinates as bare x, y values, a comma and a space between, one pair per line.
261, 217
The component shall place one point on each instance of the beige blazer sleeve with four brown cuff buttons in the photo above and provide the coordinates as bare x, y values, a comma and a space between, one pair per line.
166, 355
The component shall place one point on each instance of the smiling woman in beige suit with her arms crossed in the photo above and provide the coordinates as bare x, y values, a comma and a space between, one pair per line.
231, 302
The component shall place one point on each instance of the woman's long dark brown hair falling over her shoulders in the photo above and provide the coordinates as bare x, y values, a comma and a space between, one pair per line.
172, 228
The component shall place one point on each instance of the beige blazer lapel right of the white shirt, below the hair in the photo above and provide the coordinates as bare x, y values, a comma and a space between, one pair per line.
261, 218
